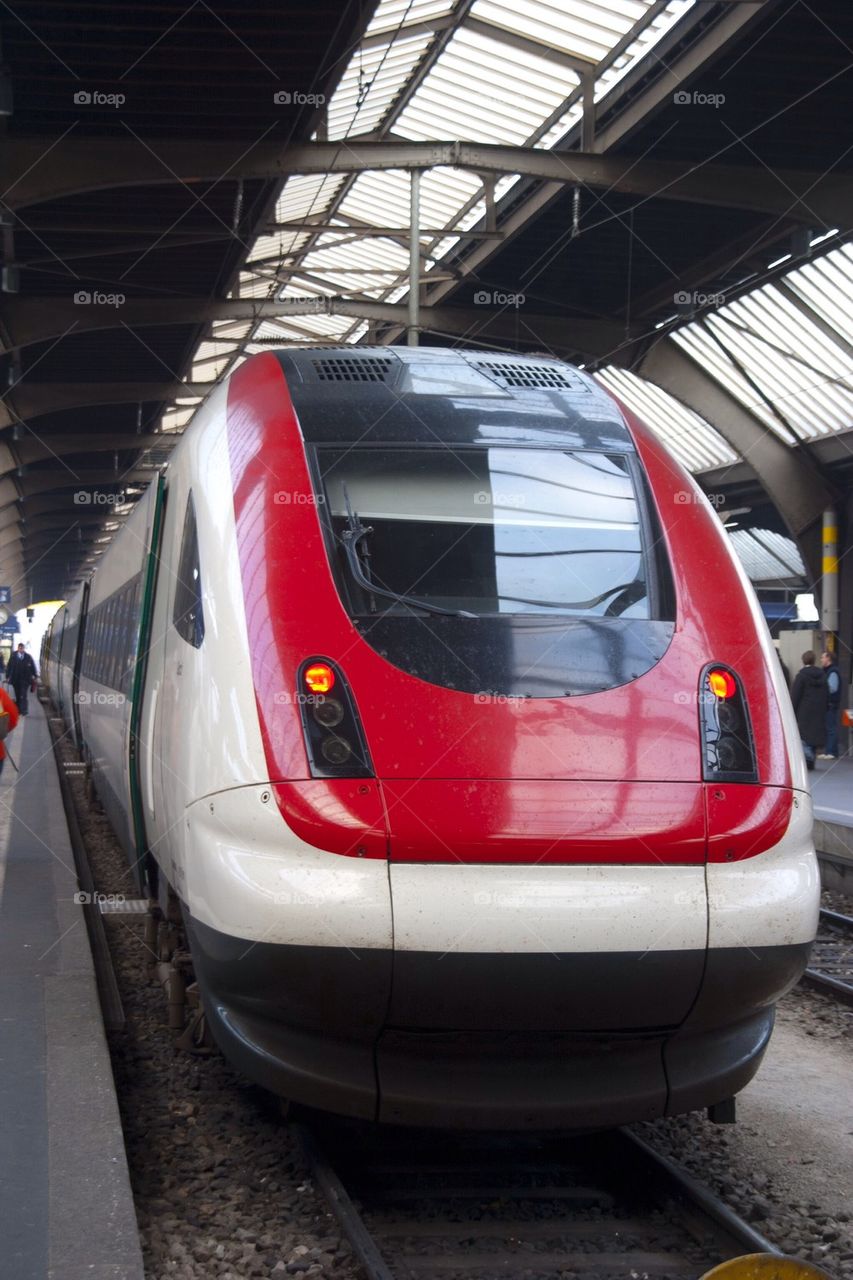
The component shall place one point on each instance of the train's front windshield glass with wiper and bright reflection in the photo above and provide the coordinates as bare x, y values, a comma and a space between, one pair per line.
485, 532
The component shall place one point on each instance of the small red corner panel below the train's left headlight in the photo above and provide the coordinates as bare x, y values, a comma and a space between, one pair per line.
344, 816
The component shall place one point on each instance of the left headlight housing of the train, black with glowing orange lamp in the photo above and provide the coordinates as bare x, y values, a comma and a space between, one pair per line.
335, 740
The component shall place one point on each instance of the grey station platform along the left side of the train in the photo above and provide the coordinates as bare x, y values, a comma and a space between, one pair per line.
66, 1205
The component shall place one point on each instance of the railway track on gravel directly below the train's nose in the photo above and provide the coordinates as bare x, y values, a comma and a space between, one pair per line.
540, 1208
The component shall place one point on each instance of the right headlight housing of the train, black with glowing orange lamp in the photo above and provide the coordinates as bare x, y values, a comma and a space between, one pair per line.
728, 746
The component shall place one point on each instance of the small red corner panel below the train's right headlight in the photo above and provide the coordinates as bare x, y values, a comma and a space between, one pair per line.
745, 821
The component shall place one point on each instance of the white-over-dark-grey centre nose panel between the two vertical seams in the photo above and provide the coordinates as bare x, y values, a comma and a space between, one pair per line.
565, 948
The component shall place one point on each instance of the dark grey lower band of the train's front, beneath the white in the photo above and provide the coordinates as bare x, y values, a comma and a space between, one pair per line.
494, 1041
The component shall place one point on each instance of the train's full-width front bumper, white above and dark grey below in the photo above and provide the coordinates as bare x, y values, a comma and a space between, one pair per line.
489, 996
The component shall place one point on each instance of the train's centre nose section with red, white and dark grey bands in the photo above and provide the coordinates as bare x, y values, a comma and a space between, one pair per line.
546, 904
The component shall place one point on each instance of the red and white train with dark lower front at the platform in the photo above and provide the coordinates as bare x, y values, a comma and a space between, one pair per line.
427, 684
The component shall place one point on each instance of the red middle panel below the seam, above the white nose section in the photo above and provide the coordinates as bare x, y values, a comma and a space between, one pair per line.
546, 822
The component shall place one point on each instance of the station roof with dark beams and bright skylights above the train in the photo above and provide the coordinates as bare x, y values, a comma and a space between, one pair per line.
733, 282
